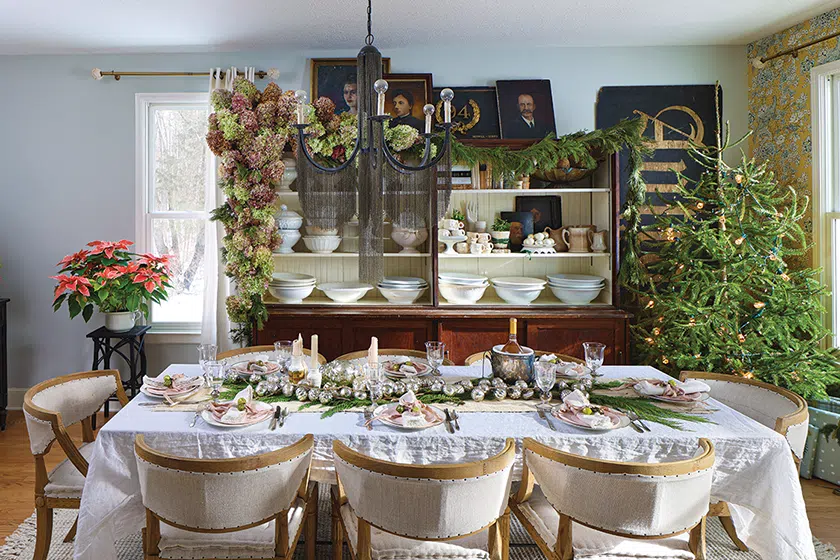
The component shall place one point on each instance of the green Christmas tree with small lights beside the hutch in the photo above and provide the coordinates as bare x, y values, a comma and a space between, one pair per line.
719, 295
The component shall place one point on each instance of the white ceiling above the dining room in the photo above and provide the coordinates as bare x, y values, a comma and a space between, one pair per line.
77, 26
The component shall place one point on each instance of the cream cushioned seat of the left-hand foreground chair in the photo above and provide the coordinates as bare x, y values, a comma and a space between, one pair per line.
256, 542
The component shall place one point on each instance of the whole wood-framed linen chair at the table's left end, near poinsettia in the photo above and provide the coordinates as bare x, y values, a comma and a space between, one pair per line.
50, 407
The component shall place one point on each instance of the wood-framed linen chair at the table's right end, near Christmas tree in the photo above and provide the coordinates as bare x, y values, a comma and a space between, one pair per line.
779, 409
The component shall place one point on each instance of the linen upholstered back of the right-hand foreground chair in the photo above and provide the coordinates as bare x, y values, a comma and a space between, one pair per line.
628, 499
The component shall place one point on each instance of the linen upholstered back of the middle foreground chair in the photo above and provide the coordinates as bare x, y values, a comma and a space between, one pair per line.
426, 501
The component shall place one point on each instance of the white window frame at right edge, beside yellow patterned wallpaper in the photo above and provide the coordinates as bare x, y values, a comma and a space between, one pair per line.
825, 178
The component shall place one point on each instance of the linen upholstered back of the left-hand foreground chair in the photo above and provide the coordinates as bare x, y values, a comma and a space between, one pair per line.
222, 494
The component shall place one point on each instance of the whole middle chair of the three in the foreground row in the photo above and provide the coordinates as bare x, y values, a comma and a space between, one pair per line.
387, 510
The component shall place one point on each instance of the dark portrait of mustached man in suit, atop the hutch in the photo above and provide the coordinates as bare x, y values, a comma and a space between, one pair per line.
526, 109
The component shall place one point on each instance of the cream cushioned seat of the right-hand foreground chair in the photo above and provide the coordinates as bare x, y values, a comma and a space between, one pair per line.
595, 545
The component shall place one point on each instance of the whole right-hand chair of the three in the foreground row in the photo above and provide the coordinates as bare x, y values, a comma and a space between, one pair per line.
578, 507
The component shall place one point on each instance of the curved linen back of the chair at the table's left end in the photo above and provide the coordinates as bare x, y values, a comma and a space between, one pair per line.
63, 401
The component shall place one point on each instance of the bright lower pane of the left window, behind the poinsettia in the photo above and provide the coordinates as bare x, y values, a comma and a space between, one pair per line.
184, 239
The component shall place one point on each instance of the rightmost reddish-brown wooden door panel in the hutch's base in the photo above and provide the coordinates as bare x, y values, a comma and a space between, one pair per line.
567, 337
